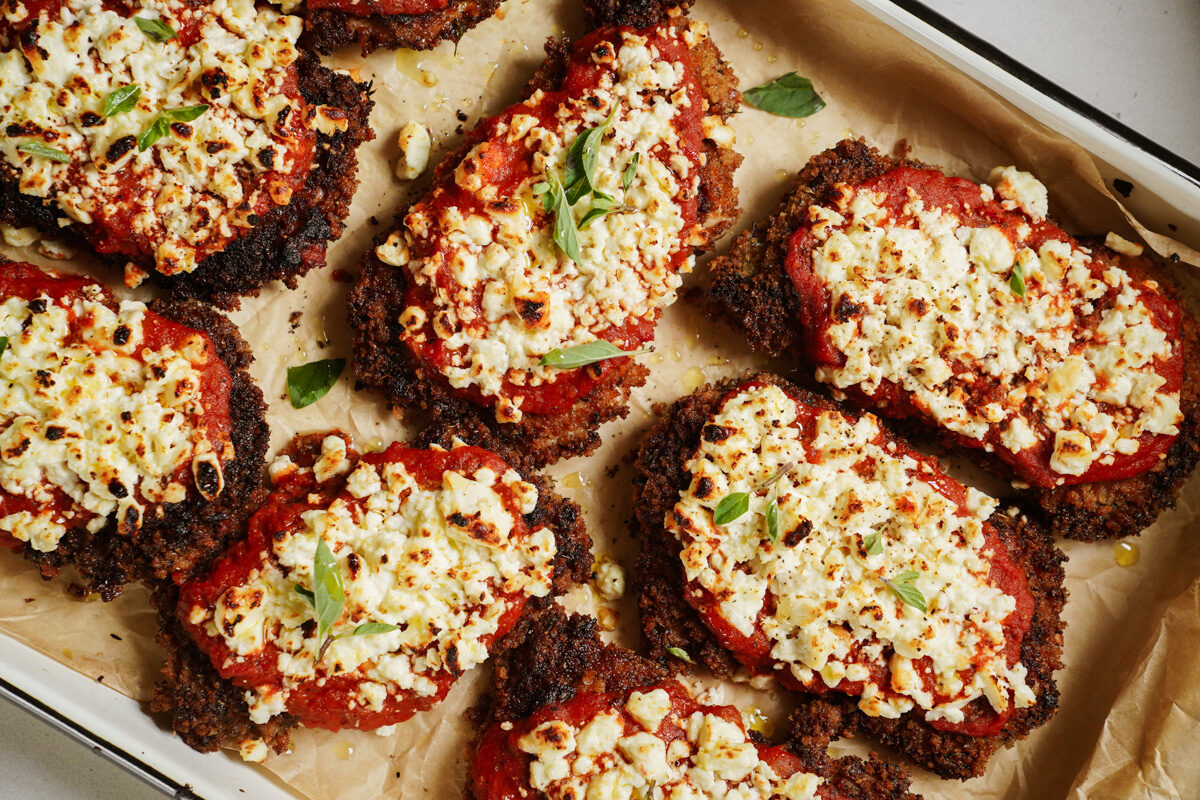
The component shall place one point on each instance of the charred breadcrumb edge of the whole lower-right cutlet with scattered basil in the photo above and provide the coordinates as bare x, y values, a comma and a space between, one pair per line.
668, 621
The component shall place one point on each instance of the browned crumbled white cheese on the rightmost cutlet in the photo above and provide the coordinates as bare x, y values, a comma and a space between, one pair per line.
926, 303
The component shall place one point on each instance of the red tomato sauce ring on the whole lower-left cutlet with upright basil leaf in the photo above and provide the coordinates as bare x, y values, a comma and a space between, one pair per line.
328, 701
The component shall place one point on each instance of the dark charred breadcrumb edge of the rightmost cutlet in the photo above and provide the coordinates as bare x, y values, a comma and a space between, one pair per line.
751, 290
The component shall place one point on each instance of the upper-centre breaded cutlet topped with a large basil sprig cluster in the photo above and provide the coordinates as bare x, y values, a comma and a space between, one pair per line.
520, 287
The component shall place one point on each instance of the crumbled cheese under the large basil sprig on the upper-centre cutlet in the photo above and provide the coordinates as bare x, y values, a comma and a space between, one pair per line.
503, 293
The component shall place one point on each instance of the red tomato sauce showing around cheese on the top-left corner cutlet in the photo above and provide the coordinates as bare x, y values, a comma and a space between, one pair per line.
113, 230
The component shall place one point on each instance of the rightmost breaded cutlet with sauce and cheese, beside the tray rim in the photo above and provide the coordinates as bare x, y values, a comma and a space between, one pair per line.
965, 308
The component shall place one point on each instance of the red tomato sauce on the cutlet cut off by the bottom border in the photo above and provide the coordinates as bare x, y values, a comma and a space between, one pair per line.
500, 769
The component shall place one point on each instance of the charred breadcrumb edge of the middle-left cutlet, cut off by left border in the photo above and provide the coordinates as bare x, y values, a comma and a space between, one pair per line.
184, 538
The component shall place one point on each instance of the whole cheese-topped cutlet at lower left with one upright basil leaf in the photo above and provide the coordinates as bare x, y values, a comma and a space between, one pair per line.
367, 586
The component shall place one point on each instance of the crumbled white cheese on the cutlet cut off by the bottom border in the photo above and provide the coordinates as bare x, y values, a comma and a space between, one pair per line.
707, 757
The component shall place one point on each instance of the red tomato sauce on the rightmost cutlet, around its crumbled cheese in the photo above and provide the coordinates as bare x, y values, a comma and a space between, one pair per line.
963, 199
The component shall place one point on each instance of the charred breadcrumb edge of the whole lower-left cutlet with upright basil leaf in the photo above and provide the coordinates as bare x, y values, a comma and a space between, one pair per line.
211, 713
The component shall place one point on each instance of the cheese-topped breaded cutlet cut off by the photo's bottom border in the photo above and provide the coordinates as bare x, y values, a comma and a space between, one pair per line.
577, 719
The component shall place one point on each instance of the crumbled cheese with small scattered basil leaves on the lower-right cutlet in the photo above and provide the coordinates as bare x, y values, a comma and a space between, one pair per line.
836, 616
